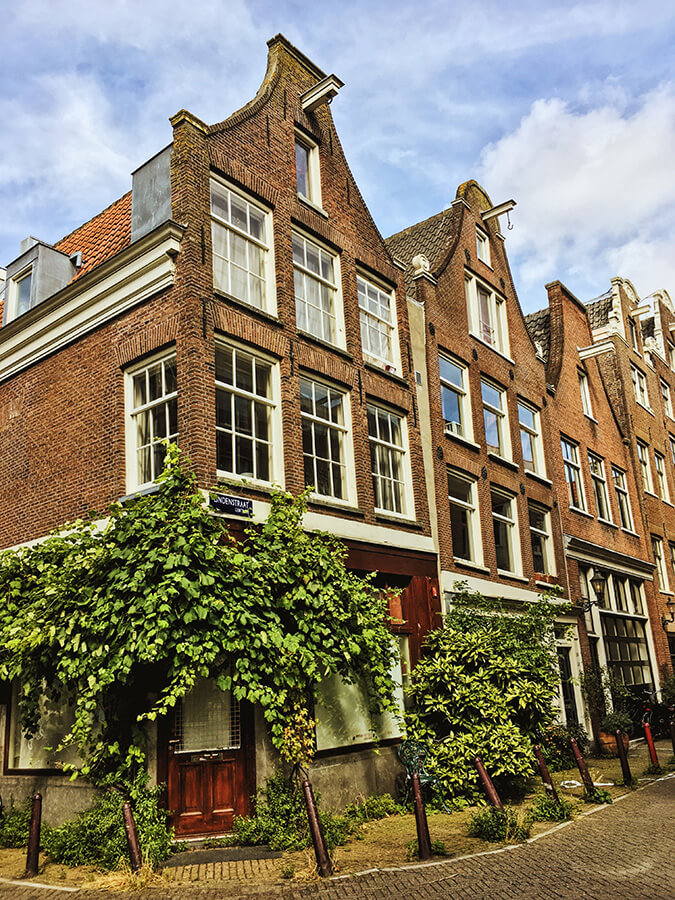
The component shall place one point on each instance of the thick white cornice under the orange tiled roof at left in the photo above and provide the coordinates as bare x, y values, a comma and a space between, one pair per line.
129, 278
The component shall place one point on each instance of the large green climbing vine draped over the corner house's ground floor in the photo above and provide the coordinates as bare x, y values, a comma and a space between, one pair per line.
119, 620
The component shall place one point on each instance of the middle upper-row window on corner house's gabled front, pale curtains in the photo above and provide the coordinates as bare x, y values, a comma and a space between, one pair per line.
315, 290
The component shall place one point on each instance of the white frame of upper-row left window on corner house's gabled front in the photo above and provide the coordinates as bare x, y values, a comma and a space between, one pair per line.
269, 304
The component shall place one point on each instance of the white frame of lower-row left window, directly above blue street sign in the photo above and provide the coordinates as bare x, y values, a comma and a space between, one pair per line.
273, 403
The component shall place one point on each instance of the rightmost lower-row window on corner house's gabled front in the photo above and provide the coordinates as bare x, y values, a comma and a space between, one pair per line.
387, 457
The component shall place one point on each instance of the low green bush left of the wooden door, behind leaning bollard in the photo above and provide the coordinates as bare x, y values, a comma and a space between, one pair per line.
97, 837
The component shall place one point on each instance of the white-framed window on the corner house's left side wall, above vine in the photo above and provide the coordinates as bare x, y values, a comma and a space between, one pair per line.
153, 411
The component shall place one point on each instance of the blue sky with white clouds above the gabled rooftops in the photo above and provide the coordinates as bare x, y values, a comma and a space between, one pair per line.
567, 108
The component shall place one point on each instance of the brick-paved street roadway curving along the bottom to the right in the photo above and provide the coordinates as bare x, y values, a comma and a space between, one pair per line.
626, 850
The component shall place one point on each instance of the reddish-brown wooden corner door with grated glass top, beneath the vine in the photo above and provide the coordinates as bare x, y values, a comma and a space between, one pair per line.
208, 764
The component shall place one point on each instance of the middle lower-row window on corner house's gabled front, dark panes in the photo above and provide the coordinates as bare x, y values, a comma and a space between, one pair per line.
324, 434
